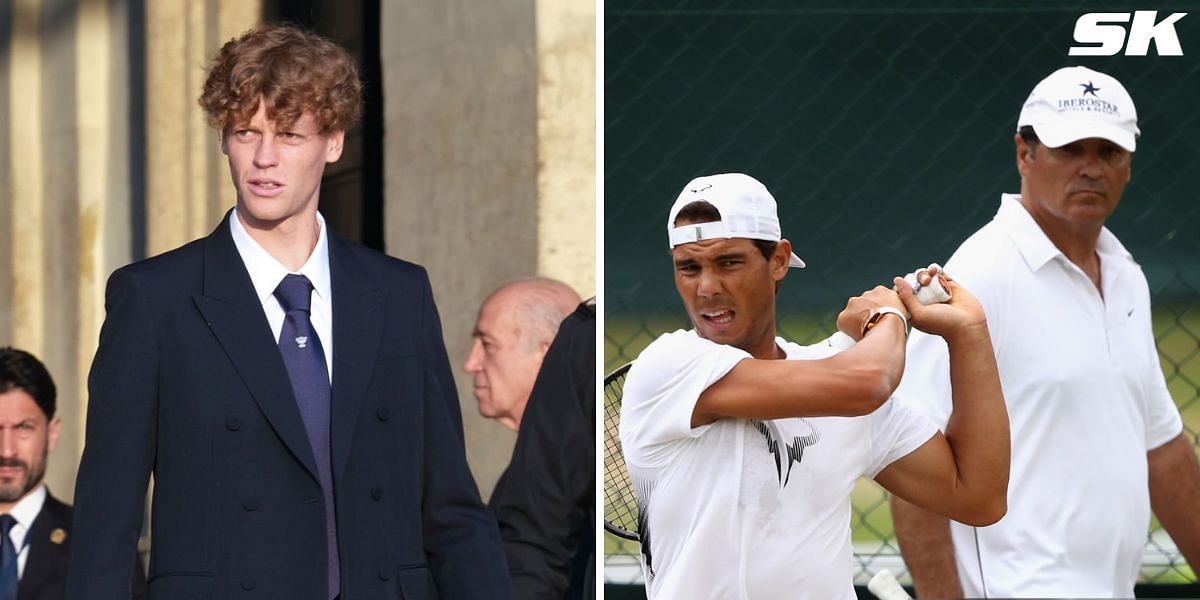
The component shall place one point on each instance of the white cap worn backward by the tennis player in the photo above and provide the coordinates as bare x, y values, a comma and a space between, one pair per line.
747, 209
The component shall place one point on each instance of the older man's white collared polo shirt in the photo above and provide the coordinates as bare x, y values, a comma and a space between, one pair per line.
1087, 400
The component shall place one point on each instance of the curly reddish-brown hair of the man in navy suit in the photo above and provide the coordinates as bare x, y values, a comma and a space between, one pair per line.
292, 71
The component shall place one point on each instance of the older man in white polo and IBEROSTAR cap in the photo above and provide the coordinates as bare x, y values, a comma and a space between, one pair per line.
1091, 417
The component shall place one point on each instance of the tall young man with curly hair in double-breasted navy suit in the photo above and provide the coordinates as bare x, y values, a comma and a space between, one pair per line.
289, 391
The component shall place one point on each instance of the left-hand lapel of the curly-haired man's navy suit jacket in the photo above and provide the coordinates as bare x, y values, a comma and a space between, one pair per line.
236, 317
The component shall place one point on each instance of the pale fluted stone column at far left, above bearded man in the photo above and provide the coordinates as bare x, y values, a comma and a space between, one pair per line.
65, 193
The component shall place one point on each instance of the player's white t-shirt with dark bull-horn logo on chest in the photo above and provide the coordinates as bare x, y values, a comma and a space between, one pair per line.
741, 509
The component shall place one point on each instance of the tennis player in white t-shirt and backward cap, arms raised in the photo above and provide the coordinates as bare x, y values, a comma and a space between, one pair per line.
745, 447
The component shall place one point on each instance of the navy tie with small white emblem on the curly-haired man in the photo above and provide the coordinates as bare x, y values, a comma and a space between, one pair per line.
305, 361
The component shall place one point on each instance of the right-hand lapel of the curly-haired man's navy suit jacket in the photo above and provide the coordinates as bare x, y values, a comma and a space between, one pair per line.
358, 326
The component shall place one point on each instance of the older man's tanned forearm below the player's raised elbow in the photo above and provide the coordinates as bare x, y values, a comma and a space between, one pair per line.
928, 551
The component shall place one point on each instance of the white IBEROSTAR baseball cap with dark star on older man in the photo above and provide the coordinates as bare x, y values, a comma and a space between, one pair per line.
1075, 104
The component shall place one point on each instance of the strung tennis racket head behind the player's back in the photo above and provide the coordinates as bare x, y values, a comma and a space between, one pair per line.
620, 500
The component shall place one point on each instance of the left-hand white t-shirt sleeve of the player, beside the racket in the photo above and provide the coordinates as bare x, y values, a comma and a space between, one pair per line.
662, 391
